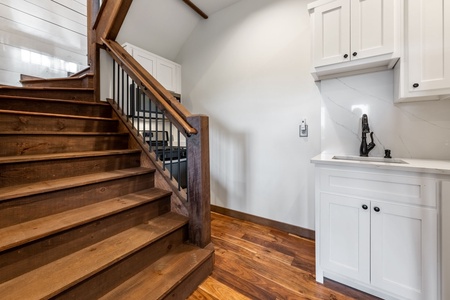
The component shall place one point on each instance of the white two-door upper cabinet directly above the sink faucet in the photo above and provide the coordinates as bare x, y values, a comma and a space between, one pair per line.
353, 36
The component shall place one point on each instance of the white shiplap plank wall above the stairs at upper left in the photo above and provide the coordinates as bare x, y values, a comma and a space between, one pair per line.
44, 38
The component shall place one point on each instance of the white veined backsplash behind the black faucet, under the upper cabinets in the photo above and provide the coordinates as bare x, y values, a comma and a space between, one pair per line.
410, 130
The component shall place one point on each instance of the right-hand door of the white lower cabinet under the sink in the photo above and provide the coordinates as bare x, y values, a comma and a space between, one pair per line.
404, 255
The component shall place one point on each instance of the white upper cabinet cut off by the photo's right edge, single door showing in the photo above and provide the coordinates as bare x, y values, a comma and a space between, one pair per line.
424, 70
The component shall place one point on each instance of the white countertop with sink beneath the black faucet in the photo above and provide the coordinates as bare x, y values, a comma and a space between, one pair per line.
409, 165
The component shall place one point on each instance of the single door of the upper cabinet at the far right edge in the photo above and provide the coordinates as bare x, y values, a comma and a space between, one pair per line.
428, 45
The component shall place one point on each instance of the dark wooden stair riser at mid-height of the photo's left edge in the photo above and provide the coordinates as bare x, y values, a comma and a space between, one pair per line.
49, 144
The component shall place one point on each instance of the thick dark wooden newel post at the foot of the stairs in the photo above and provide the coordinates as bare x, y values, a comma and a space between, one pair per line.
199, 181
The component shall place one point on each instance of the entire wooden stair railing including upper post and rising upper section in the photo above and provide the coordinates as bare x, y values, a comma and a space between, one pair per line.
153, 110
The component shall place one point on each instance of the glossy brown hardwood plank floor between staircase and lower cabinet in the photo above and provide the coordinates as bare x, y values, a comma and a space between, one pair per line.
258, 262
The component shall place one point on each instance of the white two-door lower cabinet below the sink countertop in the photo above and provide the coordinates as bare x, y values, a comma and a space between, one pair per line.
378, 232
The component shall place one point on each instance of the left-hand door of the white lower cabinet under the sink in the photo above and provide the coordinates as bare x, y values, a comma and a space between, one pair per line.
345, 236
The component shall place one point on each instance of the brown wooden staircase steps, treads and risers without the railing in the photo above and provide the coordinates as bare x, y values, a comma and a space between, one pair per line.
80, 217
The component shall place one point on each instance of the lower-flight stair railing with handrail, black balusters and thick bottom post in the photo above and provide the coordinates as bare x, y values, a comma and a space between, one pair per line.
153, 110
